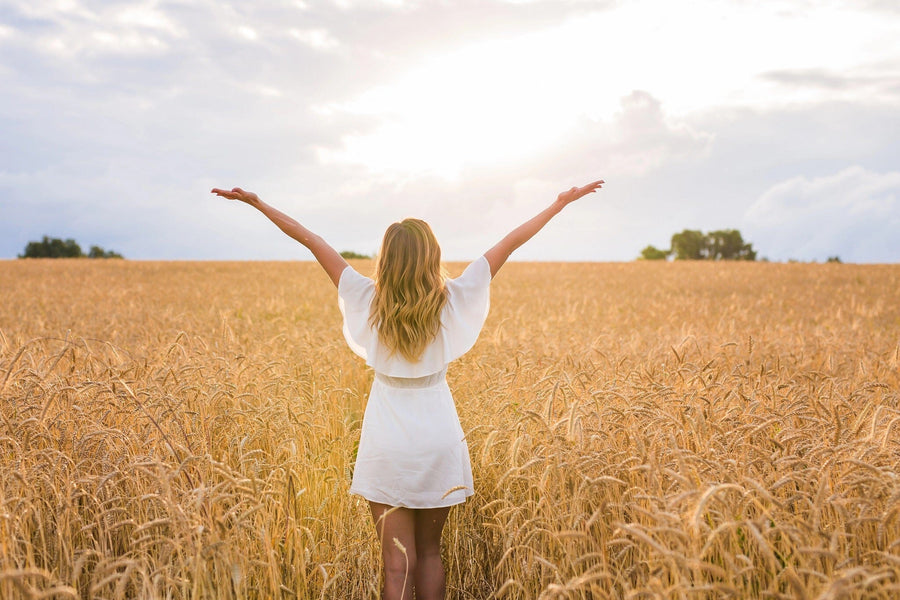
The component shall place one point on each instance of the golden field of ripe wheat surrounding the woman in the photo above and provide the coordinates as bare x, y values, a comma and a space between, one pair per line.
642, 430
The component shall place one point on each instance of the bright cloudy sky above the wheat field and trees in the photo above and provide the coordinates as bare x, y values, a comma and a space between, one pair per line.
777, 118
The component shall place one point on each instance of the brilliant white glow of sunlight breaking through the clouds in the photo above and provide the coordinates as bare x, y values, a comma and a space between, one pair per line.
504, 100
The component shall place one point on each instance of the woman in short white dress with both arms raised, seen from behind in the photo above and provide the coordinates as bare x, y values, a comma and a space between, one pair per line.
408, 324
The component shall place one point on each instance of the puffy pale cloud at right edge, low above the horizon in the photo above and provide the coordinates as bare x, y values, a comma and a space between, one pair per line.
854, 213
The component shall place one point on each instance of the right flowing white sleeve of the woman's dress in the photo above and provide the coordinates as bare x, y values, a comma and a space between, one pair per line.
467, 308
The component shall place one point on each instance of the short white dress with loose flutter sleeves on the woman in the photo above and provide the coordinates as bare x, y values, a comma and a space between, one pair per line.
412, 449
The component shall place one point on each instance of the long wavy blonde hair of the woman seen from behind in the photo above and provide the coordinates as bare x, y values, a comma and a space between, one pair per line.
409, 289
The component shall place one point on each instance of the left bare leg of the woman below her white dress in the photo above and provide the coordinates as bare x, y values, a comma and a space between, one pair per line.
396, 525
